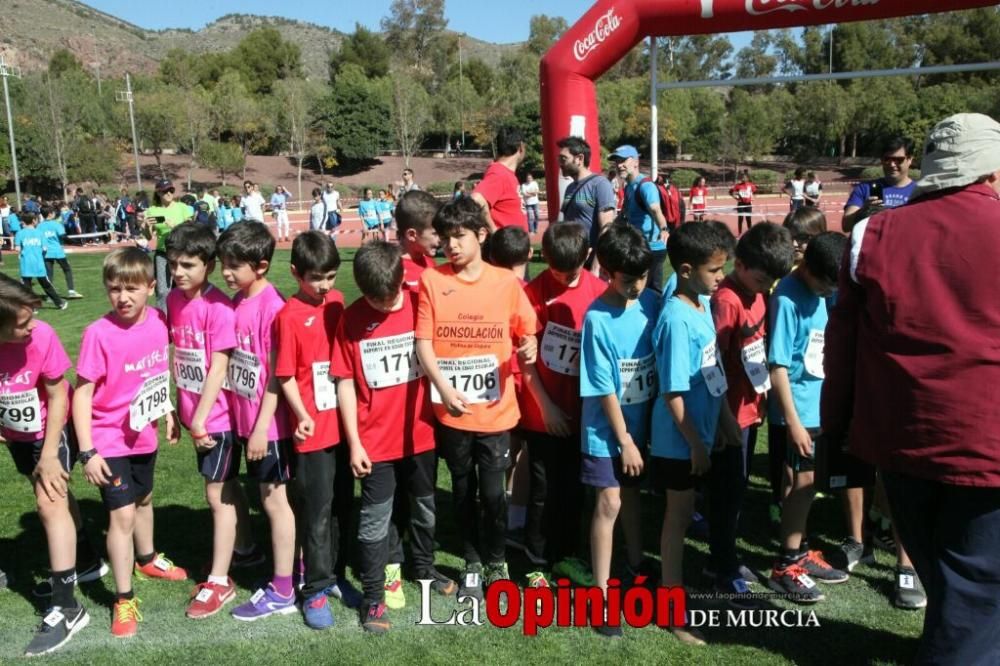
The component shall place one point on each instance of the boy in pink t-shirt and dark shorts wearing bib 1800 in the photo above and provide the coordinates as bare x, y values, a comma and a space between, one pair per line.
201, 323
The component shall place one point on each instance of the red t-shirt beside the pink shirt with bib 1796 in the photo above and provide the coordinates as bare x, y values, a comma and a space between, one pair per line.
304, 334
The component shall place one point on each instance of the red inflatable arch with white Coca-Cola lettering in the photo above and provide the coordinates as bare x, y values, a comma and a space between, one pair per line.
606, 33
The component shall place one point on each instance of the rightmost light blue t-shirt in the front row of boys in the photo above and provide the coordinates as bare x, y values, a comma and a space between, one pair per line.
797, 324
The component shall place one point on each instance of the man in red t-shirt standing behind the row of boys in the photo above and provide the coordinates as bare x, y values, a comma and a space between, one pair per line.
498, 192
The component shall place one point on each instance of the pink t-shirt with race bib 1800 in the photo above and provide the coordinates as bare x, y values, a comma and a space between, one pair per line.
200, 327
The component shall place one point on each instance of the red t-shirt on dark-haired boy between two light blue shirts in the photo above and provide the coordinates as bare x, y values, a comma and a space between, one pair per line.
740, 323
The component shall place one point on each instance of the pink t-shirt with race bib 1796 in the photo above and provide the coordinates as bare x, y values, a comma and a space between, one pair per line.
249, 365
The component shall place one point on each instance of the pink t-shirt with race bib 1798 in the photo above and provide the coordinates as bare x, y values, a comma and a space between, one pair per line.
130, 369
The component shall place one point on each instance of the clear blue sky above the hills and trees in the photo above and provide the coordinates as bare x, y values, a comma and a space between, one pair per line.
499, 22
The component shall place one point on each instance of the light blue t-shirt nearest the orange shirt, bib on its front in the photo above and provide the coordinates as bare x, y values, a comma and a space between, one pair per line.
616, 356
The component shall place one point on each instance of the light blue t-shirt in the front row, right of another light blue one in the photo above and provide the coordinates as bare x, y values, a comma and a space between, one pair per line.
685, 343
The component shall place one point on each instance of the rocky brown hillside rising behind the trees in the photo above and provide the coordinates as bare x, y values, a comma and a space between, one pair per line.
32, 30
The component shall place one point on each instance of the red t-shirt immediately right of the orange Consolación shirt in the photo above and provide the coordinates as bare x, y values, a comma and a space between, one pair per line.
560, 311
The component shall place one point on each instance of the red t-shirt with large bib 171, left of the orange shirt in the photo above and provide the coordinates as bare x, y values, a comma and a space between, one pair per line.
377, 351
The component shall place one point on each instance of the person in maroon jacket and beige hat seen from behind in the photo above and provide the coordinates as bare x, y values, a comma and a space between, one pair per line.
912, 363
